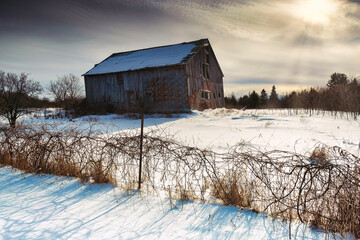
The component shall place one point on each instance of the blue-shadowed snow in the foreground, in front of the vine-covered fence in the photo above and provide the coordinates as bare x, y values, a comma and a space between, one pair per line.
50, 207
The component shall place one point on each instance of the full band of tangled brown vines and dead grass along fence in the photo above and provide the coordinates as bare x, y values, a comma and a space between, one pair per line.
321, 193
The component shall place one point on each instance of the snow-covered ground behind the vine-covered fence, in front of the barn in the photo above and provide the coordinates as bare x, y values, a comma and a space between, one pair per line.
218, 129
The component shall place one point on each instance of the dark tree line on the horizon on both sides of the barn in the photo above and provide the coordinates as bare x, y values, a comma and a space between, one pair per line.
19, 93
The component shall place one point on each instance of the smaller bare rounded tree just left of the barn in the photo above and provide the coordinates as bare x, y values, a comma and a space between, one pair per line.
67, 90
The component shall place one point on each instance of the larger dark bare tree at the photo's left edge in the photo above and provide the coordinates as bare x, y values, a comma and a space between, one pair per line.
15, 91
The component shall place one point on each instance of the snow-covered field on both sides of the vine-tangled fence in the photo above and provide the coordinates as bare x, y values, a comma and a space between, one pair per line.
48, 207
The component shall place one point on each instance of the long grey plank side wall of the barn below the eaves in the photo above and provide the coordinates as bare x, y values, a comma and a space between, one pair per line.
163, 89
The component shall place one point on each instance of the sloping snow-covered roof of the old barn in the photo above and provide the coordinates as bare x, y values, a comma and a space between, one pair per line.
176, 54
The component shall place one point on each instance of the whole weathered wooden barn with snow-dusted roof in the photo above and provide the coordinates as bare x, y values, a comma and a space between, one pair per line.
173, 78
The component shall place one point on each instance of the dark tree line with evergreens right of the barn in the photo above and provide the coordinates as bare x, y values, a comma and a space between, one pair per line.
341, 93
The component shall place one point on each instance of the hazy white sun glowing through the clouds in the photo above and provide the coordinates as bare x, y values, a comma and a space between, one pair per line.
315, 11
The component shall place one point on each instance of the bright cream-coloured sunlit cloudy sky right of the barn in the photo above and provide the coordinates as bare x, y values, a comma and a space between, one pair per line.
297, 43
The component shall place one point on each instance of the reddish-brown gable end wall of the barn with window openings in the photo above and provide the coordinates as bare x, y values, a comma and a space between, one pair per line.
198, 81
